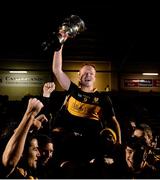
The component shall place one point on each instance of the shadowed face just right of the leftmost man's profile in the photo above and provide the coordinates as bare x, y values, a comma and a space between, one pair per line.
46, 153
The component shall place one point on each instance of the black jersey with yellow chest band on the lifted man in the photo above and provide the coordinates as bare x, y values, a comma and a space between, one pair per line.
85, 112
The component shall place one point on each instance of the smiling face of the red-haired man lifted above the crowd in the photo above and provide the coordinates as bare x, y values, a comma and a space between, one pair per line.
87, 76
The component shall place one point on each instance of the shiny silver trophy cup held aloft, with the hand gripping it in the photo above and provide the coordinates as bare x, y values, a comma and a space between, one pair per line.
70, 27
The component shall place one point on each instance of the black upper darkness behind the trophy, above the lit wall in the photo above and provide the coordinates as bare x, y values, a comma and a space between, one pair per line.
120, 32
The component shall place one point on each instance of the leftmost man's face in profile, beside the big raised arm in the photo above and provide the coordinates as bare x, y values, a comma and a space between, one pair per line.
33, 154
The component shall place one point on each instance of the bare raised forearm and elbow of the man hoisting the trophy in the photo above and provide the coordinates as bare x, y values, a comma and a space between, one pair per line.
62, 78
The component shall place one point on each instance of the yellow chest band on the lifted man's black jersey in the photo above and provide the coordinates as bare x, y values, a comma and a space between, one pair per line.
82, 109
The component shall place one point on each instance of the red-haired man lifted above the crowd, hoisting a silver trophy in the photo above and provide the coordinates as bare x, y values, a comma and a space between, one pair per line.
86, 111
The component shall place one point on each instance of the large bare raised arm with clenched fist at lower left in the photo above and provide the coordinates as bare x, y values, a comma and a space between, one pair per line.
15, 145
